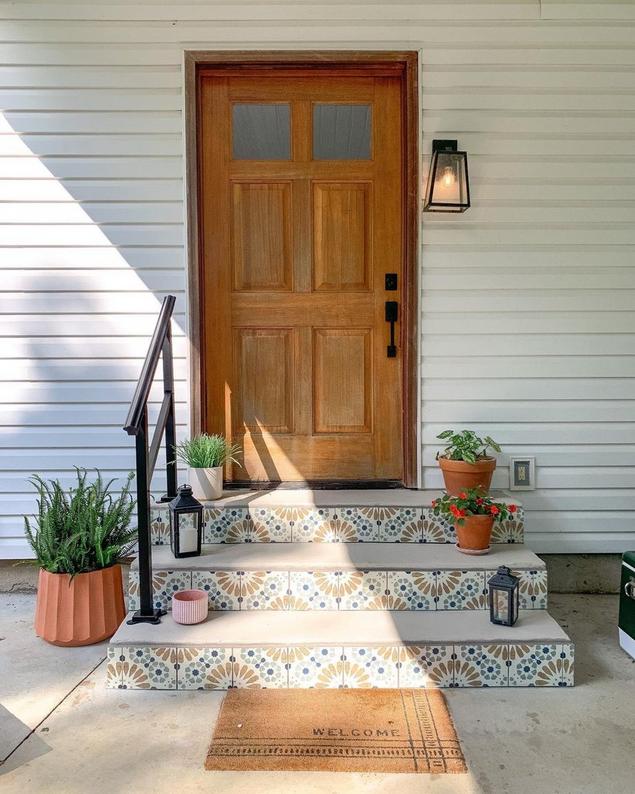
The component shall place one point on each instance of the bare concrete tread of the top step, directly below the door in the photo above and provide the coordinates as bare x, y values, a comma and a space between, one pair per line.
308, 497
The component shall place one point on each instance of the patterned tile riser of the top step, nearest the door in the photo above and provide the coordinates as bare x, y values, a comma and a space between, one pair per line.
328, 525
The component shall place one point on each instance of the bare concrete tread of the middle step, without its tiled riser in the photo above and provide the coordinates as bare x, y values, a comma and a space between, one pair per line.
344, 556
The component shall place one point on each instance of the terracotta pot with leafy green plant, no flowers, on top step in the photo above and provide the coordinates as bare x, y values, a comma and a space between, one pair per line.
465, 462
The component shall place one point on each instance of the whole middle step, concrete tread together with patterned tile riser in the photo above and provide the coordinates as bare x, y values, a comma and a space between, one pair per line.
338, 576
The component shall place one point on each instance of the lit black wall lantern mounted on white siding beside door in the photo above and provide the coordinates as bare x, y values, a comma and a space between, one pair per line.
448, 188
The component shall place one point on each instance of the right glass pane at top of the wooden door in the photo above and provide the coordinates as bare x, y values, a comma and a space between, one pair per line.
341, 132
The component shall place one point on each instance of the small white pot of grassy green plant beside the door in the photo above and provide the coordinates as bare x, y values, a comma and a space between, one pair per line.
206, 455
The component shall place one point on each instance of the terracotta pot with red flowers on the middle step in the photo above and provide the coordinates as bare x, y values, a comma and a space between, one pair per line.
473, 514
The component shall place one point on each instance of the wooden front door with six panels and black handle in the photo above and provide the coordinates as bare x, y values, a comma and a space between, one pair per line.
301, 219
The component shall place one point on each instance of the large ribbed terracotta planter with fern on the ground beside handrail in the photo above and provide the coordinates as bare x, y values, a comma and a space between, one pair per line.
78, 539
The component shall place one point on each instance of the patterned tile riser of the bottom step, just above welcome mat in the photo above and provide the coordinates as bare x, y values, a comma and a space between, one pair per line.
444, 666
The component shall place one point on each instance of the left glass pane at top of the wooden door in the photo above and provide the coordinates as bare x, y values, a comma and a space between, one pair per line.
261, 132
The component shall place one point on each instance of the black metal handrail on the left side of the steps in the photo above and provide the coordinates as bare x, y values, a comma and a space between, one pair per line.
146, 457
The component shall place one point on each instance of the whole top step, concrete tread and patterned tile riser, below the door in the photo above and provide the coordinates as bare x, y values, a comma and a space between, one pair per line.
305, 515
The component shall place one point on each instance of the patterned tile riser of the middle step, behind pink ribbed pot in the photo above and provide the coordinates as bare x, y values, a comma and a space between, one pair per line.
340, 590
